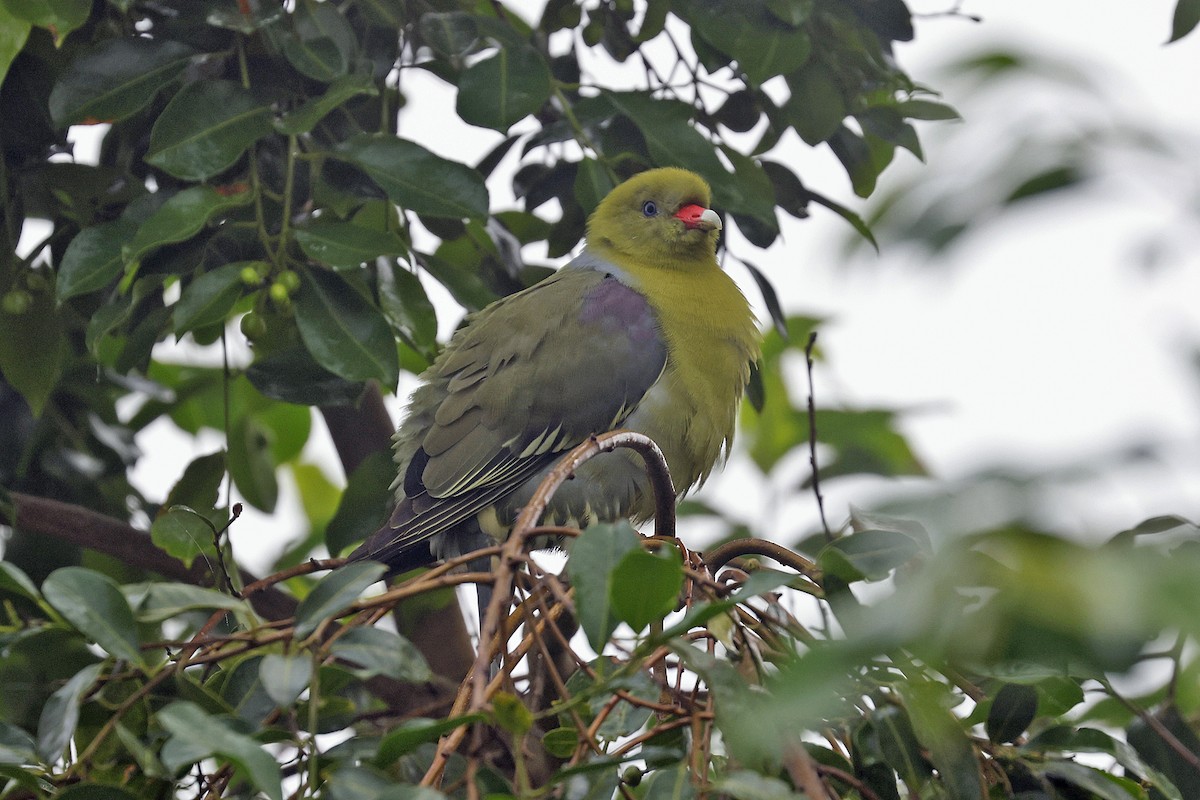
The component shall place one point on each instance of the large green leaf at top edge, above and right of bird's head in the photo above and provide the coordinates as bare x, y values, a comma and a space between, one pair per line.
761, 44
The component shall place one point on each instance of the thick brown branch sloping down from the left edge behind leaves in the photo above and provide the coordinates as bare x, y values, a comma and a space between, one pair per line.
87, 528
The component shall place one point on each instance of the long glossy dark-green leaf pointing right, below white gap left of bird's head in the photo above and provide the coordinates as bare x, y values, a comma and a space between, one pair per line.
417, 179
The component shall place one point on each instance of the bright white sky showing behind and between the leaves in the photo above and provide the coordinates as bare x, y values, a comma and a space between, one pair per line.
1042, 344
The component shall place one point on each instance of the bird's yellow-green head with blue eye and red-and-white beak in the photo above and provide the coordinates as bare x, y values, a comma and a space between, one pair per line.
658, 218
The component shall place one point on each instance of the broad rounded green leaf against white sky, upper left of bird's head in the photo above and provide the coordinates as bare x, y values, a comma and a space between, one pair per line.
502, 91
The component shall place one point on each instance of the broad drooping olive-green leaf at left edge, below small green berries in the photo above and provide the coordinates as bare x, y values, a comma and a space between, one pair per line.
39, 329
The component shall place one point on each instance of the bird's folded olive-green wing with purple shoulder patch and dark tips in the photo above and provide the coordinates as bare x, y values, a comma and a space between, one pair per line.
531, 377
